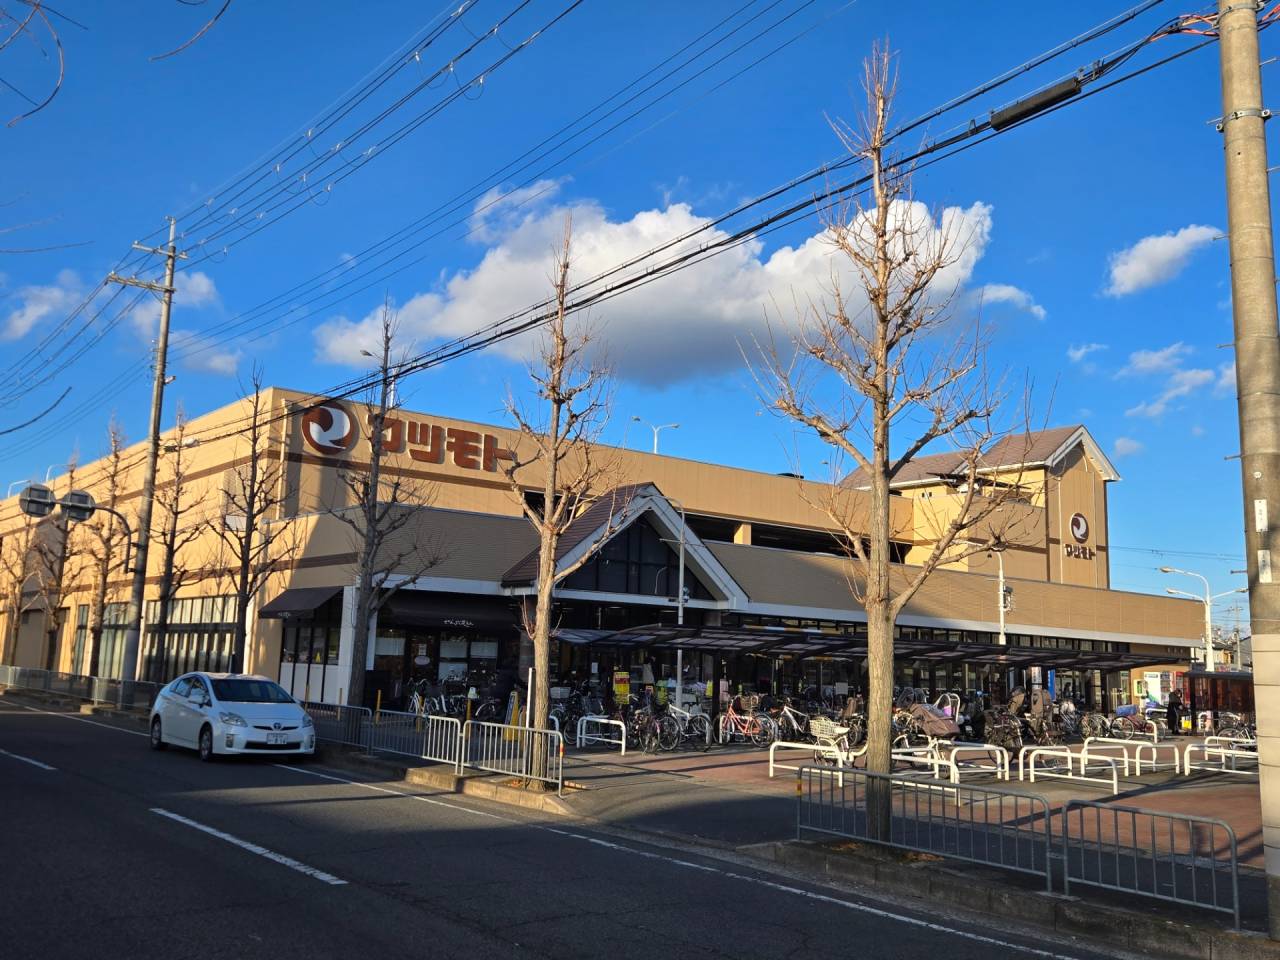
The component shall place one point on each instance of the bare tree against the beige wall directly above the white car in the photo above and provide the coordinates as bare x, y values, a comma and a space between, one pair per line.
254, 542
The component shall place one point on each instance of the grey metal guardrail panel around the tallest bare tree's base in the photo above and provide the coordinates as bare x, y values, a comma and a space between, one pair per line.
990, 826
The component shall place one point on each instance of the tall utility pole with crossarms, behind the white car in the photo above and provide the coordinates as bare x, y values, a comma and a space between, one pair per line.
134, 618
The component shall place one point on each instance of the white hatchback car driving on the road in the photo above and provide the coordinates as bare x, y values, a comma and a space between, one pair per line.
231, 714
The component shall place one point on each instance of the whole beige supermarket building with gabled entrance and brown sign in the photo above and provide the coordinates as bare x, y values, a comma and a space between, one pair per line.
770, 604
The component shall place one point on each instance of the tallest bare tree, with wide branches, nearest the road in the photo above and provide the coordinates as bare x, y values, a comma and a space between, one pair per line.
893, 355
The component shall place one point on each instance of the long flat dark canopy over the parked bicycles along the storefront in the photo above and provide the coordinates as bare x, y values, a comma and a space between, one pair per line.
783, 642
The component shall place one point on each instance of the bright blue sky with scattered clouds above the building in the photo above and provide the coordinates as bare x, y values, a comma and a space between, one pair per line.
1116, 330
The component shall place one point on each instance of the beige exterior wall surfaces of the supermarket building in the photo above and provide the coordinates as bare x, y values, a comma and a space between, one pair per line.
312, 484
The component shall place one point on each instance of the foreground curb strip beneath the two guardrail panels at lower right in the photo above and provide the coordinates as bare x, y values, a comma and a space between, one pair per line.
1096, 925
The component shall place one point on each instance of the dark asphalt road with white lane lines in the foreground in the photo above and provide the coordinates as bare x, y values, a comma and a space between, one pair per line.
112, 851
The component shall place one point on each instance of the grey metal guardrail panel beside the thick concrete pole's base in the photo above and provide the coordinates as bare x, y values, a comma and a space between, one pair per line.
1185, 860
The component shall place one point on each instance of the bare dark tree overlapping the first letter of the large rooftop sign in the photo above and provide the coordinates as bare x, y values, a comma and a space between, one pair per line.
380, 511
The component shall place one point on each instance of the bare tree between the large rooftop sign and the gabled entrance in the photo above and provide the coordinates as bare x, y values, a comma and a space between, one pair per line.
560, 438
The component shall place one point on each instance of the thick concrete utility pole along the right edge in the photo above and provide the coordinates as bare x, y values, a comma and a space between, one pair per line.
1258, 378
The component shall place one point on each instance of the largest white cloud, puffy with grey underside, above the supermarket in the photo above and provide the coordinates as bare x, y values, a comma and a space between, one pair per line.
689, 326
